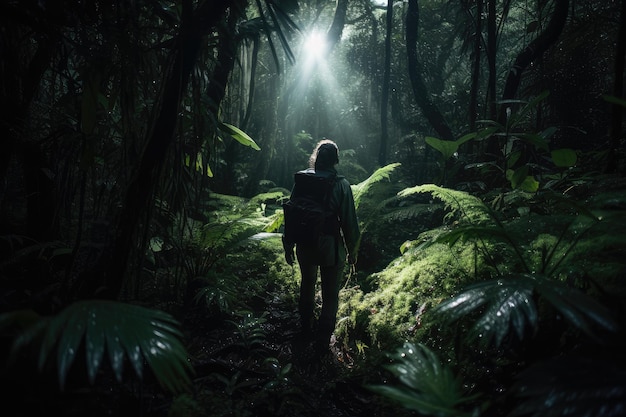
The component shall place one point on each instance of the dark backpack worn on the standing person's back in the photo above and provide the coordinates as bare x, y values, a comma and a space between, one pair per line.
307, 215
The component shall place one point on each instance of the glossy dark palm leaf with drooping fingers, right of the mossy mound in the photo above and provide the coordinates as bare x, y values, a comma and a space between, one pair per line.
510, 307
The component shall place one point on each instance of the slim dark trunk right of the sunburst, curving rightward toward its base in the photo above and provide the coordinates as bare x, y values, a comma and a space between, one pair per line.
431, 112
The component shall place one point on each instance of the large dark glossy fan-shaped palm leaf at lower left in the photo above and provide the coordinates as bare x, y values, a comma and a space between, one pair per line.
123, 330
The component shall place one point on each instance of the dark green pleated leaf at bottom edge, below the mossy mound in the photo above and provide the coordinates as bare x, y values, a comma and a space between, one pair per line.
430, 387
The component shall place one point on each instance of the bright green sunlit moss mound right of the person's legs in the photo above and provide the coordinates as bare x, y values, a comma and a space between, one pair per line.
391, 312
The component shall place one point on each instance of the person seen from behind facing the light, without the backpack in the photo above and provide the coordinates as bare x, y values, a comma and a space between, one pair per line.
328, 256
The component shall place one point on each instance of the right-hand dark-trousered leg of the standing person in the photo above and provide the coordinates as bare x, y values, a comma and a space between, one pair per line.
331, 280
